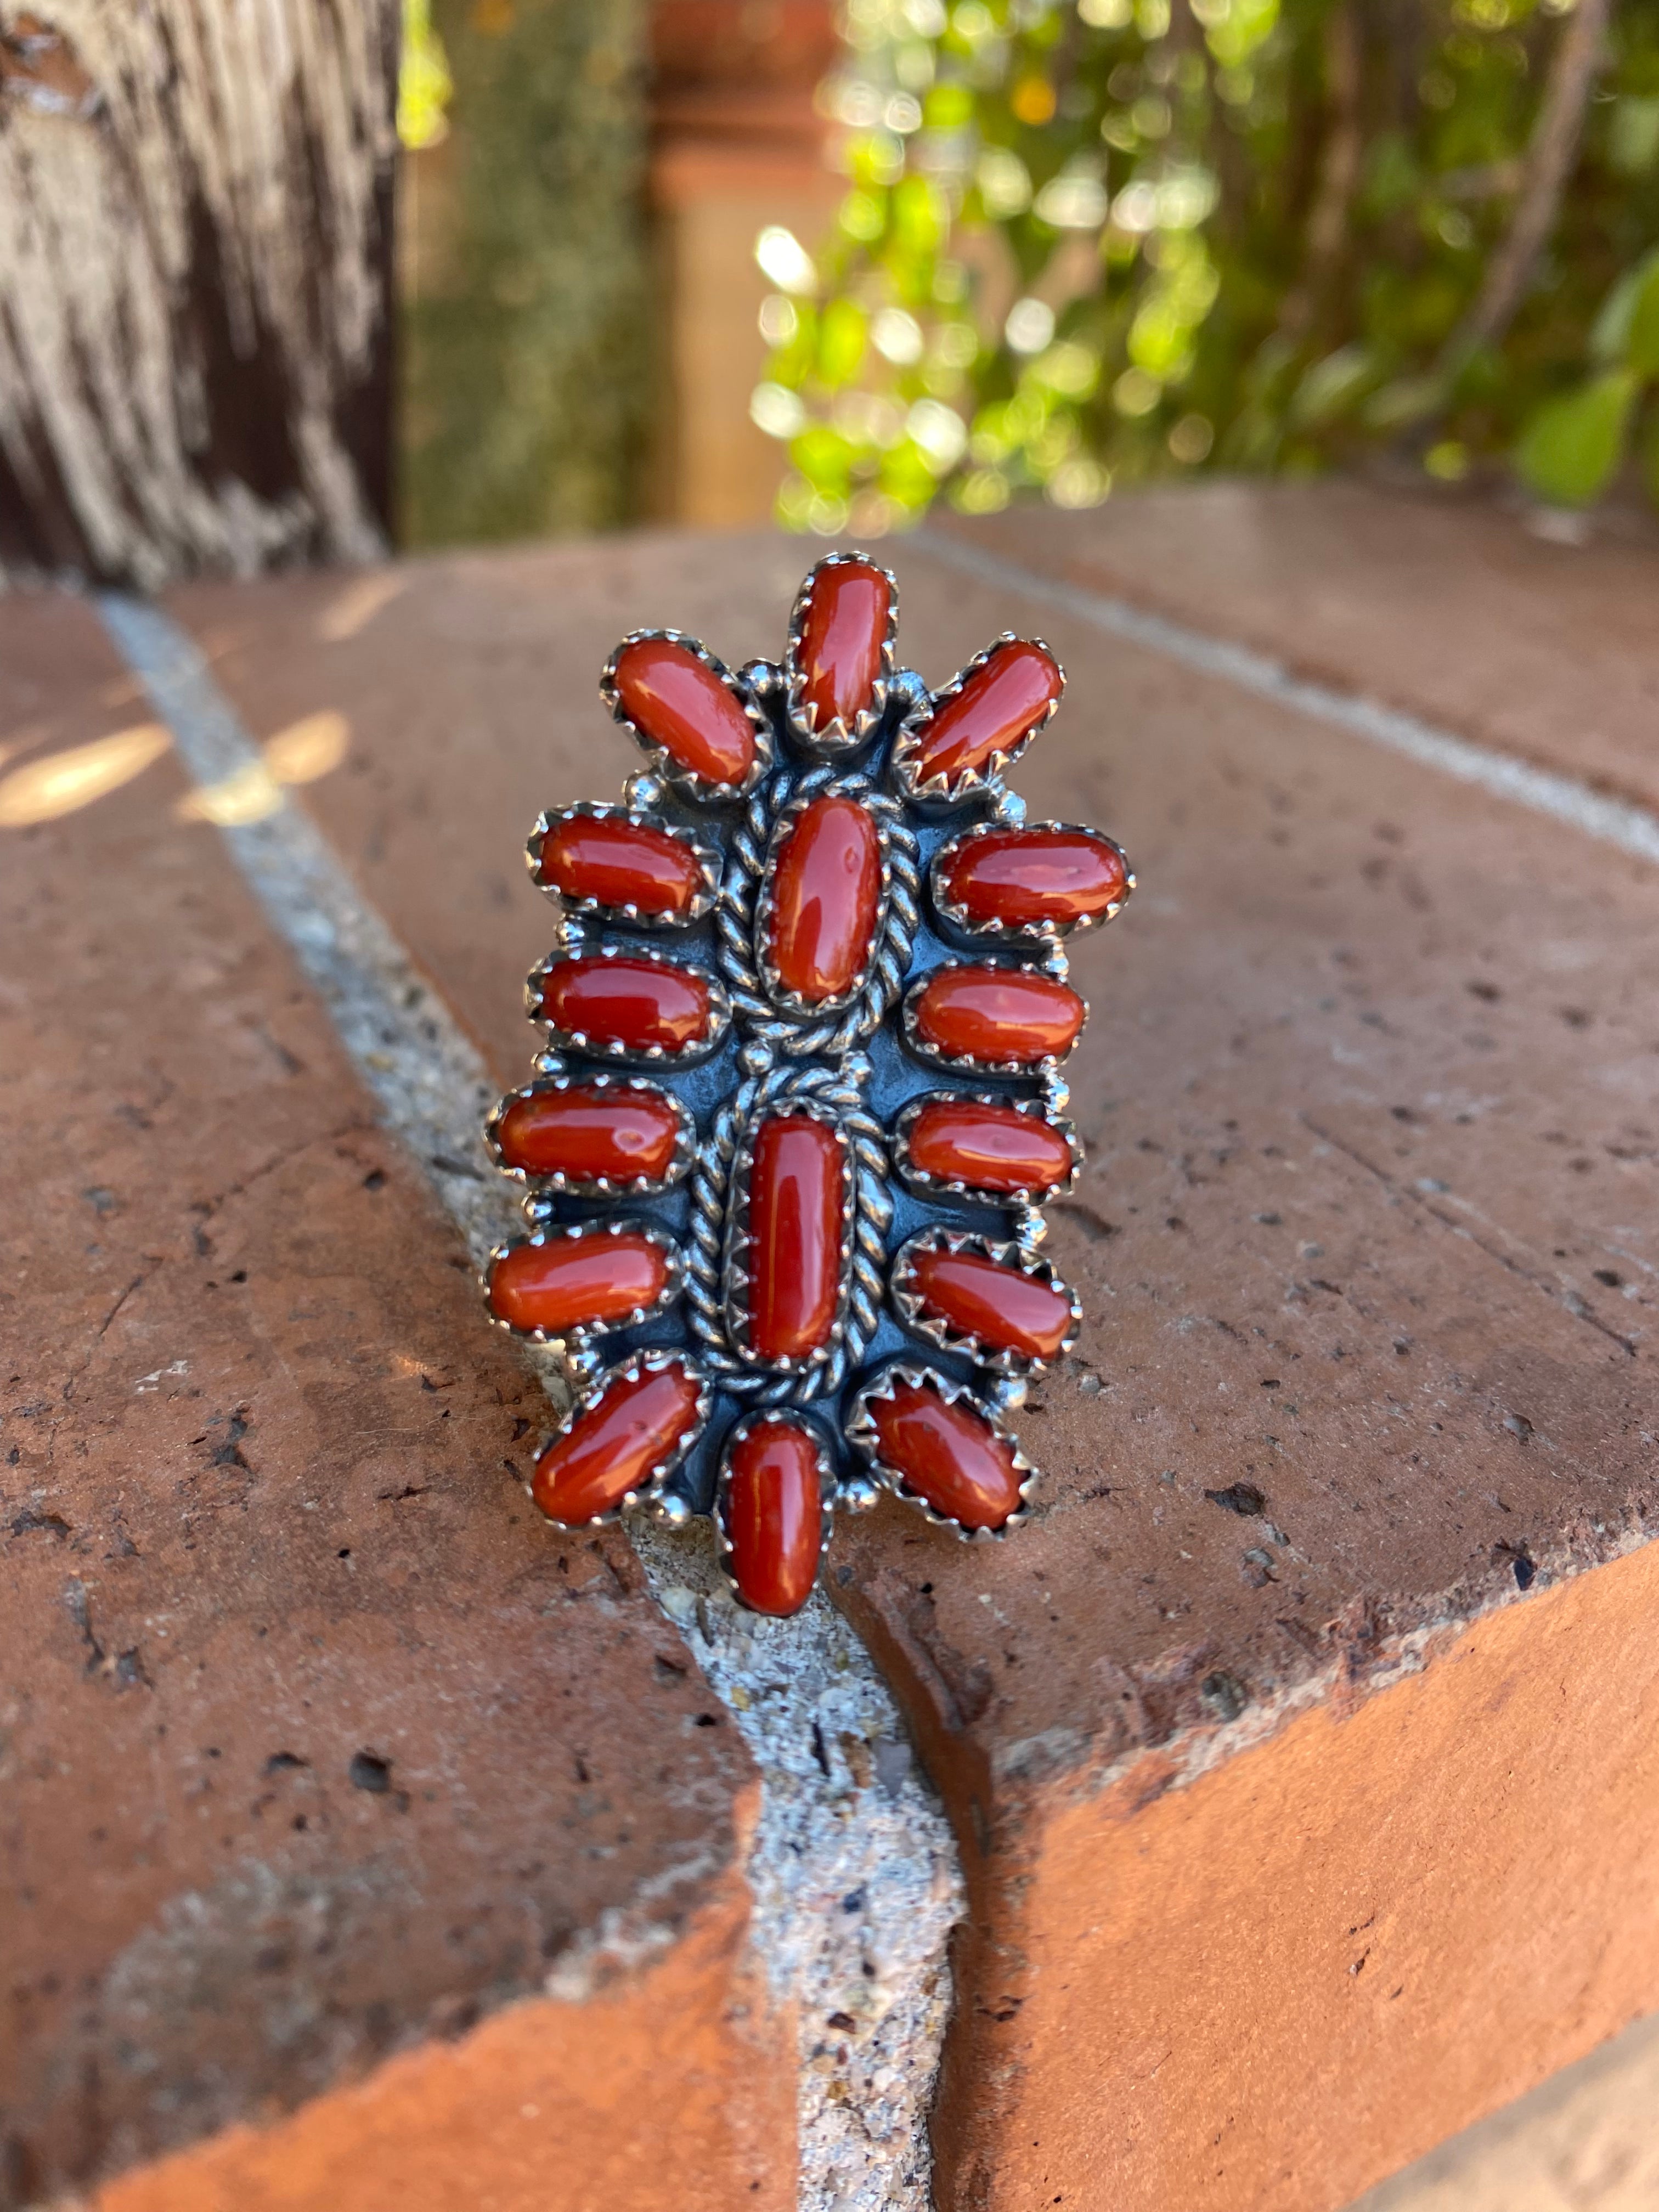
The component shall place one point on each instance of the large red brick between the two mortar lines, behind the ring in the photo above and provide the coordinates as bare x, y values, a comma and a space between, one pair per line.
1368, 1096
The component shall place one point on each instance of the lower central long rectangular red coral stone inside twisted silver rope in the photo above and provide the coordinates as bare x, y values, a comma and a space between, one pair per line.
795, 1235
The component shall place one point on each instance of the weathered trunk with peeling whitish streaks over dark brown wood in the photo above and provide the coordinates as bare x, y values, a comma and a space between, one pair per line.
196, 262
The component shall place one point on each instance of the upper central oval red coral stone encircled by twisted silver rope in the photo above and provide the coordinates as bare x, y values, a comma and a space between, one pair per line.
826, 893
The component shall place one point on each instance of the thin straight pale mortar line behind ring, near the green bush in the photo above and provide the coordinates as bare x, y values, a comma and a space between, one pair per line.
1565, 800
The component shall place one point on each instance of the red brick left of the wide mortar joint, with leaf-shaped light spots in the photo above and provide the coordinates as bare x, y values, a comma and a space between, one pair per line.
322, 1749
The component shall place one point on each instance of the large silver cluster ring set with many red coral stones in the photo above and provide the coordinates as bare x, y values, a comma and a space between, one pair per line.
800, 1109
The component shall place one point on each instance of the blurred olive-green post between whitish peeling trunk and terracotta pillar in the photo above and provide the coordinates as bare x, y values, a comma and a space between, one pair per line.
528, 282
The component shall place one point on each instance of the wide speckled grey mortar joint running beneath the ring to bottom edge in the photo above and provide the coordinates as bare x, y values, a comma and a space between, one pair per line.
853, 1870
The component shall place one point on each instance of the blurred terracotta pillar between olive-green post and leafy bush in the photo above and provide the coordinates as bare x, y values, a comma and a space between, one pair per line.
735, 145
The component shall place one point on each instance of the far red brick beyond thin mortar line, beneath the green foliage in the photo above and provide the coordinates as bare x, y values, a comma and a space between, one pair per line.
1439, 605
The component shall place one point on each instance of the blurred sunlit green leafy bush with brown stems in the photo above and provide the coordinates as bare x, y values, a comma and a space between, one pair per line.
1087, 242
